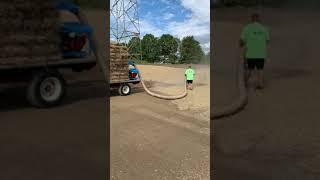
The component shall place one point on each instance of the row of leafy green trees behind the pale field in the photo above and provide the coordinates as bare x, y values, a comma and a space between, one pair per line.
168, 49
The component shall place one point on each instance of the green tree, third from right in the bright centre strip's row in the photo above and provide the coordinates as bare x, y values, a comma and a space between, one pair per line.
150, 49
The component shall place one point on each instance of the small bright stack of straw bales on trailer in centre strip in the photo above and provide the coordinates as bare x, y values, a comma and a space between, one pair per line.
118, 63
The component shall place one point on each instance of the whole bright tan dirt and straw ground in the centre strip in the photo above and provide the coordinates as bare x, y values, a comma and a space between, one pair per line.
151, 138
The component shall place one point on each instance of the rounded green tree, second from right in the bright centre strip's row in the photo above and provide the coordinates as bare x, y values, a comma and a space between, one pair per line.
168, 47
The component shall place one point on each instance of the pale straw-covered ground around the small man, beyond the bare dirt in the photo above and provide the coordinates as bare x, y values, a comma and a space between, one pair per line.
170, 80
